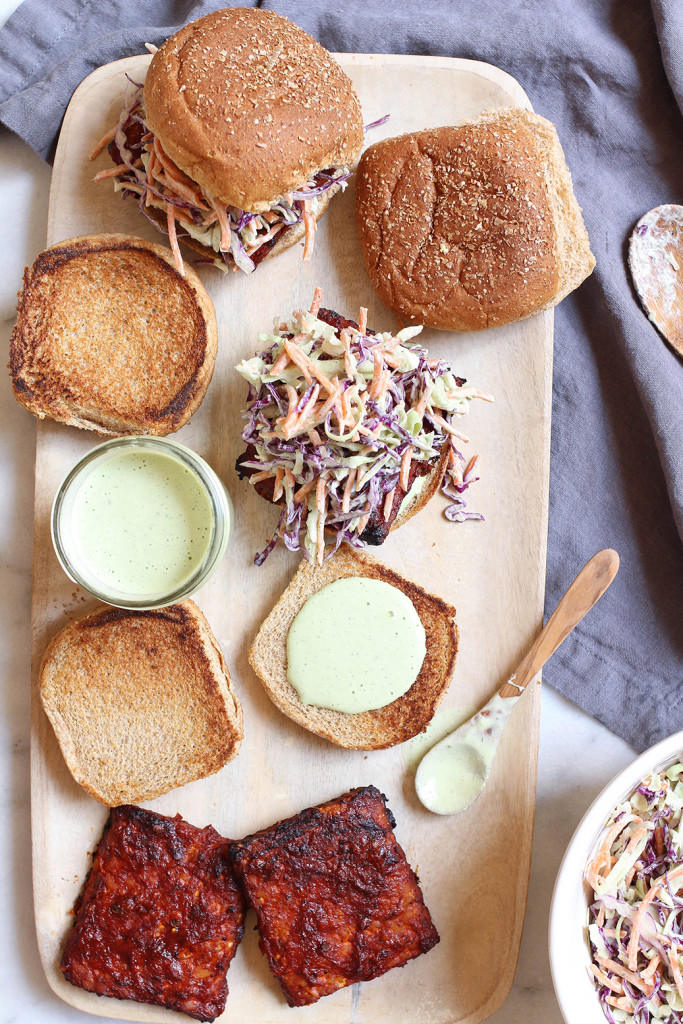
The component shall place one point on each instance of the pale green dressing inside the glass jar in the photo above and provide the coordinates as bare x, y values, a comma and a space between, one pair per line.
141, 524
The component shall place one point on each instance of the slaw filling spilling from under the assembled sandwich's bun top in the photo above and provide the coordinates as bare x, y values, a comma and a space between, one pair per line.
238, 238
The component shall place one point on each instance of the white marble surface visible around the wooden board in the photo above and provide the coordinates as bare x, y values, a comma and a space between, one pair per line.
578, 755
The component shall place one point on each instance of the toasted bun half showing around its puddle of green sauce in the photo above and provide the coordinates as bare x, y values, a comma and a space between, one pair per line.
387, 727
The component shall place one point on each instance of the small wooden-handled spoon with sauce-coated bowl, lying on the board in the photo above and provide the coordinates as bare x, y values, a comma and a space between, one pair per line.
455, 772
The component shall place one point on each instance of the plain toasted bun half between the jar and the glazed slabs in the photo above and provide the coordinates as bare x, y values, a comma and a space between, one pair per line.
141, 702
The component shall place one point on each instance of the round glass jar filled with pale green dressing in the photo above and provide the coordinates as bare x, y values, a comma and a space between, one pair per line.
142, 523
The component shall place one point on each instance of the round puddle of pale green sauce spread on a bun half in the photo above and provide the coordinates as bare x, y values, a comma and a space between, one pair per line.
356, 646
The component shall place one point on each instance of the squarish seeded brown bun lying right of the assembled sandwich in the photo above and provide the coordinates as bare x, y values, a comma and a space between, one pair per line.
472, 227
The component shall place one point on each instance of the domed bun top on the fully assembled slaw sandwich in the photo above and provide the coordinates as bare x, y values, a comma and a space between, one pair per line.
249, 106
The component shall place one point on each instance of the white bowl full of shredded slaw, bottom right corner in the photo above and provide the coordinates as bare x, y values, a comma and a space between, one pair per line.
628, 844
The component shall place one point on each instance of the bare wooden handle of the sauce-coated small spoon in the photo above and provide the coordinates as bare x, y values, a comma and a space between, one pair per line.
589, 586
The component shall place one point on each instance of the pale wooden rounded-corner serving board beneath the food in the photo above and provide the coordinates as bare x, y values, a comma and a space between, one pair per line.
475, 868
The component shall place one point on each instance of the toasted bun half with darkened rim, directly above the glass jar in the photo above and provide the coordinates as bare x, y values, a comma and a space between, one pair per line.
111, 338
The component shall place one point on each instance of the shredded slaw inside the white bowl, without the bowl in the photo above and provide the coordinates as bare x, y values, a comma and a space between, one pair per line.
636, 918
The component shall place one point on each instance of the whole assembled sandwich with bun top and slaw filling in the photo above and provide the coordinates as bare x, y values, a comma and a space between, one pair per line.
243, 132
